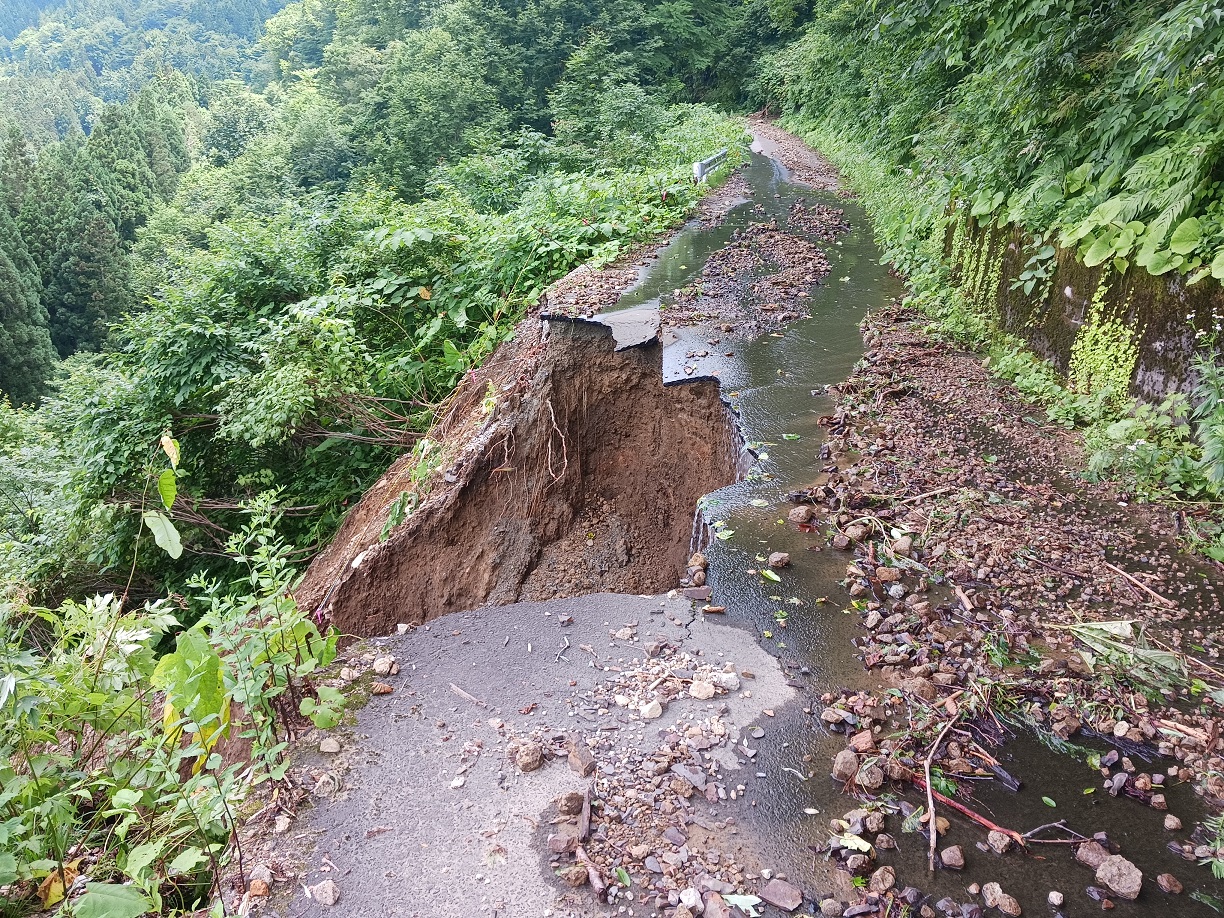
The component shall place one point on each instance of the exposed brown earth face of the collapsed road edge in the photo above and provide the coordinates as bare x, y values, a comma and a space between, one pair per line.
549, 488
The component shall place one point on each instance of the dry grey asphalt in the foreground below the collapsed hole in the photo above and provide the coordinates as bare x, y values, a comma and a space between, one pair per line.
485, 845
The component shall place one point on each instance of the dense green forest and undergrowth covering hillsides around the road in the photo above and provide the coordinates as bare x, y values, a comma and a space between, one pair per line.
247, 249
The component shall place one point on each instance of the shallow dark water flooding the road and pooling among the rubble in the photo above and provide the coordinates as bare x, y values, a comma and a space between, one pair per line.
777, 386
